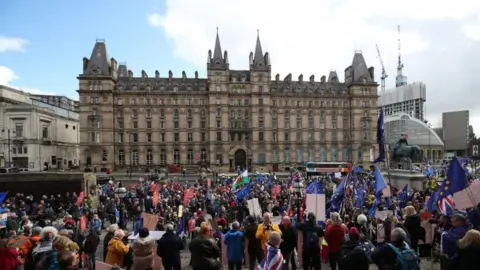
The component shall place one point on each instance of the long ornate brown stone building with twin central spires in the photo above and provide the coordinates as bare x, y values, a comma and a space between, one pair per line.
230, 118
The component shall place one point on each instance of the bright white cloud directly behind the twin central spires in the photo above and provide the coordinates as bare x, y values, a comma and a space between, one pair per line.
309, 37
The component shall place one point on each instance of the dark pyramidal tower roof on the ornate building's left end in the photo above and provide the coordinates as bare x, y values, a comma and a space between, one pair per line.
99, 63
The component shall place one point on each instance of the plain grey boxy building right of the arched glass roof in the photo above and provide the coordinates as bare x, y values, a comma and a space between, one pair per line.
456, 132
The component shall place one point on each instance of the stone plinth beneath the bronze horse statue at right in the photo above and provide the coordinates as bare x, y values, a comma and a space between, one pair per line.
399, 178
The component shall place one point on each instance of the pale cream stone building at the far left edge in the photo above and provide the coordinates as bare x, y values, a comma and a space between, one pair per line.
35, 134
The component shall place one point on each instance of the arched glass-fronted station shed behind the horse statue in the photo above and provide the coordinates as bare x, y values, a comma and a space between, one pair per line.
418, 133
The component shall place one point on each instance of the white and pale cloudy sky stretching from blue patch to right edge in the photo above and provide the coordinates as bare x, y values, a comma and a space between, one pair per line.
440, 40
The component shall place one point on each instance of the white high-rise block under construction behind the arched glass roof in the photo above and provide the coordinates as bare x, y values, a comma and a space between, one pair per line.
405, 98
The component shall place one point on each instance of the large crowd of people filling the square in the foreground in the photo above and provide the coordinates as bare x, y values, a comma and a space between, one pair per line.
63, 231
